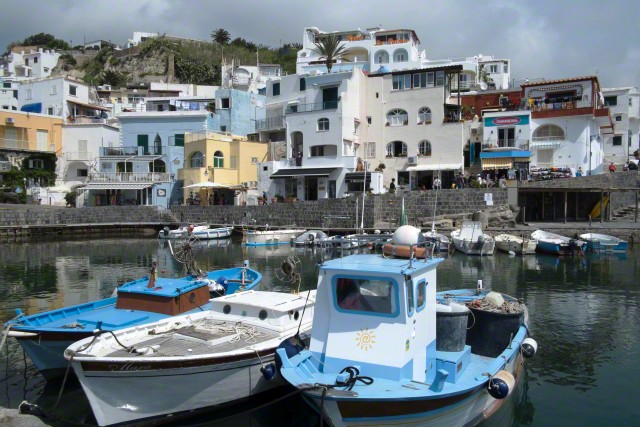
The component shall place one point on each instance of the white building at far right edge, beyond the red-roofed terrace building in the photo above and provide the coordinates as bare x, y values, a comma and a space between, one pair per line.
624, 104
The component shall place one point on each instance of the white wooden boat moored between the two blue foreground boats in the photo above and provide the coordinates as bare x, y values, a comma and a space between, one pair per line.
186, 363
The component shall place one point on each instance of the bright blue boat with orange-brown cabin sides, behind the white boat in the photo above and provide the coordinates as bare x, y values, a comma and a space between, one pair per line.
45, 336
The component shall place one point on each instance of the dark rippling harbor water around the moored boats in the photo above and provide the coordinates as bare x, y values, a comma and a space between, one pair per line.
584, 313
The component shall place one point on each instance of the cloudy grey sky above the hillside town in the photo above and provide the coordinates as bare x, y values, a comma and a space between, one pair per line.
543, 38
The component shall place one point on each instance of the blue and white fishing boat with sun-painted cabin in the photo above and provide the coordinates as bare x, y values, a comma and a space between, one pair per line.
386, 349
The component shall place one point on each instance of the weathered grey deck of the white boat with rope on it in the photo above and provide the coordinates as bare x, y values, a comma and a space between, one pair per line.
196, 340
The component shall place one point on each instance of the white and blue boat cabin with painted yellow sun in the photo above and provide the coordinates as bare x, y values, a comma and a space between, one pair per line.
378, 315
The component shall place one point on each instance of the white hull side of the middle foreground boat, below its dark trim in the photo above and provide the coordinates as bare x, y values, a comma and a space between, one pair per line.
130, 394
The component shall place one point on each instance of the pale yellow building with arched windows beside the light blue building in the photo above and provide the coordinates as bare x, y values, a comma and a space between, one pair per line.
220, 158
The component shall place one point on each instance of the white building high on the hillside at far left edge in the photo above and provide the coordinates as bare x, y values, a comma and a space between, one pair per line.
34, 64
